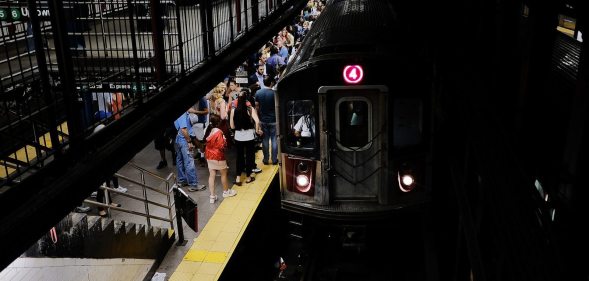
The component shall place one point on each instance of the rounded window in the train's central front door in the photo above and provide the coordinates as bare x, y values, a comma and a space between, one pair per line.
353, 118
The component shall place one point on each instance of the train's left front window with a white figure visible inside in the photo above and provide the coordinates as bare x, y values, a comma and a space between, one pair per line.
301, 121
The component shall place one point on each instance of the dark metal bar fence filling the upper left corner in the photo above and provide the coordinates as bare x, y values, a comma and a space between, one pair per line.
72, 65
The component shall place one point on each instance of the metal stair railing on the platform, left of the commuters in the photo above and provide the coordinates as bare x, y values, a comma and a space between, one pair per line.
168, 193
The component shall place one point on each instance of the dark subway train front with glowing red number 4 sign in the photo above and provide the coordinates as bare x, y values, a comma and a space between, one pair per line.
361, 86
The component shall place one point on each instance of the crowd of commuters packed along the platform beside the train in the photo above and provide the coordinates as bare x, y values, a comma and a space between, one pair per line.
240, 117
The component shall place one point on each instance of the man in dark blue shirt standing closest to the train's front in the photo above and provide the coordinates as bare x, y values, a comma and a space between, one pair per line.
266, 108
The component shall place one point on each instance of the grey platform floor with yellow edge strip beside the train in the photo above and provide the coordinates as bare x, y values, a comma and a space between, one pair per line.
148, 158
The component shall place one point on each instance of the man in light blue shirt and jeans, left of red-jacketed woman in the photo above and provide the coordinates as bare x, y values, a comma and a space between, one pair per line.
184, 159
